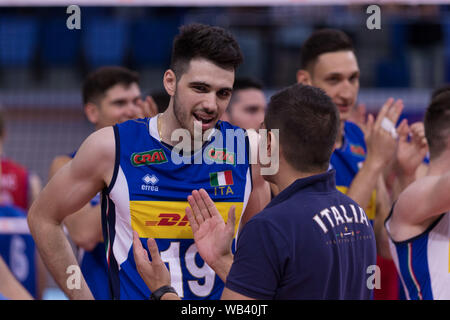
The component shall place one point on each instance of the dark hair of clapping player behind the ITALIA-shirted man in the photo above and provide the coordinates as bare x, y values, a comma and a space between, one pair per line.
323, 41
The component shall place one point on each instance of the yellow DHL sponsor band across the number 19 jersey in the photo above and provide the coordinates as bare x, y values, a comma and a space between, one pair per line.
168, 220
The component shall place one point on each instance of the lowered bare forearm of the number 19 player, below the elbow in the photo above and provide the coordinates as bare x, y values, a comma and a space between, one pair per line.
57, 255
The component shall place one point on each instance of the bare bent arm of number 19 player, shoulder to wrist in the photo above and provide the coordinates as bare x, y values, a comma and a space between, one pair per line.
67, 192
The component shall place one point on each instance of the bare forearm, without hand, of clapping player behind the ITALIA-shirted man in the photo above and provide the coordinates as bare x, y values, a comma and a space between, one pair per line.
365, 182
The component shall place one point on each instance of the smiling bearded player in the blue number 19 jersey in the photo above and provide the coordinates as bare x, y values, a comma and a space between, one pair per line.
199, 82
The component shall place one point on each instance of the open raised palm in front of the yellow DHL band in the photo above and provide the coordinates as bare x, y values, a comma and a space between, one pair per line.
213, 237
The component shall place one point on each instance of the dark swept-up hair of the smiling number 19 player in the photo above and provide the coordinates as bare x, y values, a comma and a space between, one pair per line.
202, 41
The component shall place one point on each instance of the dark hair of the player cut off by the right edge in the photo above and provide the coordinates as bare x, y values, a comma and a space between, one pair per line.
437, 122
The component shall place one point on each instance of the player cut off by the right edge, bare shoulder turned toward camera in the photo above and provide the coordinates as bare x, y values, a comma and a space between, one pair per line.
419, 221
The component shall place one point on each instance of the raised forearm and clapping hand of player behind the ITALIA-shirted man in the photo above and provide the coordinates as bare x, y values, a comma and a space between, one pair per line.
381, 147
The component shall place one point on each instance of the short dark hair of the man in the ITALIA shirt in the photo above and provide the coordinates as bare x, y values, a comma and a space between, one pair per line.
308, 121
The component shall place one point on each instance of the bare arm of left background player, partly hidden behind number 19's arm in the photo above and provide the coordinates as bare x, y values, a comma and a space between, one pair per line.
84, 226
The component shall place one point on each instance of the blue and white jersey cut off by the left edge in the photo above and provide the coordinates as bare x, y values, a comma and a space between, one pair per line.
17, 247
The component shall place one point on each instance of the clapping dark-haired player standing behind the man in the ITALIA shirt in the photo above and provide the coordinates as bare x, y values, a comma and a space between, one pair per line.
328, 61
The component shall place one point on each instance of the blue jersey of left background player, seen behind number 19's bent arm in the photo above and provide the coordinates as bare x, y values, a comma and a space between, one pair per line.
93, 264
